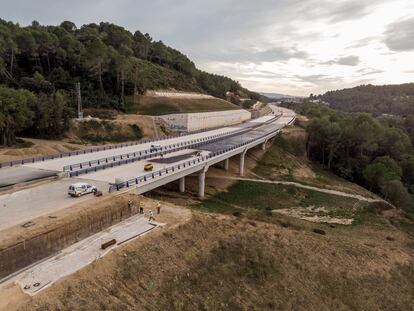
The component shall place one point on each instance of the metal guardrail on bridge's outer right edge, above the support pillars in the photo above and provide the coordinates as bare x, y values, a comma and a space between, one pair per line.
159, 173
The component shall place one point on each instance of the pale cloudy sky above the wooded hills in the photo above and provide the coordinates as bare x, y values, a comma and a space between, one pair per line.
294, 47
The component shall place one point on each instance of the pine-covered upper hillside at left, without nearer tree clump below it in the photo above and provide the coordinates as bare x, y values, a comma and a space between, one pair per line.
109, 61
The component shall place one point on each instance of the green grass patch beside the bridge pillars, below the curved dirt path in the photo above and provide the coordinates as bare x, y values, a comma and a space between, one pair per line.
259, 199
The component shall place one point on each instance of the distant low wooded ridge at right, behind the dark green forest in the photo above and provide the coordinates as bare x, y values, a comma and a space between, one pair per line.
381, 99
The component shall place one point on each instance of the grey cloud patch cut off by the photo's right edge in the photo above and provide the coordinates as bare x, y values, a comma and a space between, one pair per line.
399, 36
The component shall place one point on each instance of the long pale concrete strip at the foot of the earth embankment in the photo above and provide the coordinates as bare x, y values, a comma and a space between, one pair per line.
81, 254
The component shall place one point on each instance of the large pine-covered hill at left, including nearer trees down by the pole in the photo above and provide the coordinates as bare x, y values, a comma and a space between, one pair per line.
39, 66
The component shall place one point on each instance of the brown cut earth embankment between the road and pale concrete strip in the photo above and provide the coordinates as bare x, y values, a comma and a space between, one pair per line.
21, 247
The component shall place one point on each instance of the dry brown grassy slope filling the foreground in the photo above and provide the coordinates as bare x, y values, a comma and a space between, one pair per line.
216, 262
